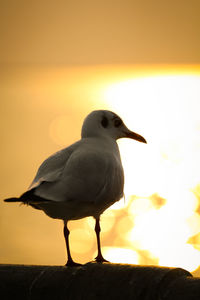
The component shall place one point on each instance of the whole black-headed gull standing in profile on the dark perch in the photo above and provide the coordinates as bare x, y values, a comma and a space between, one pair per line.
83, 179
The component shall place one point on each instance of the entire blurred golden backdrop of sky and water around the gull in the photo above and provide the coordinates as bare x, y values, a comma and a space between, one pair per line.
61, 59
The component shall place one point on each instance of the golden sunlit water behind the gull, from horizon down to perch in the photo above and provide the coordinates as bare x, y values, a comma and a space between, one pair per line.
158, 220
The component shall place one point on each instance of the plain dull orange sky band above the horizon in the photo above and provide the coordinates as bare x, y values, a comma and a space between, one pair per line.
100, 32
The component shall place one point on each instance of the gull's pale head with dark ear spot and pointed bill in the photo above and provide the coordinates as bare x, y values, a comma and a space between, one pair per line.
107, 123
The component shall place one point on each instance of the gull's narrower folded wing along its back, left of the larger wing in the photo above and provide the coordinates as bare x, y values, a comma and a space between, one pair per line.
51, 169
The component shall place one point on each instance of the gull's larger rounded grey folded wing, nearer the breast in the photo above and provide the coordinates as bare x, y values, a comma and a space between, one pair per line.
88, 176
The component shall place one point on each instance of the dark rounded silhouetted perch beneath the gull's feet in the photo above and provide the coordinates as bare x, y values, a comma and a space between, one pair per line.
97, 281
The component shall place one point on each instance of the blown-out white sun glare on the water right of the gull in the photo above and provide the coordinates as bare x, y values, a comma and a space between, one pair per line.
165, 110
